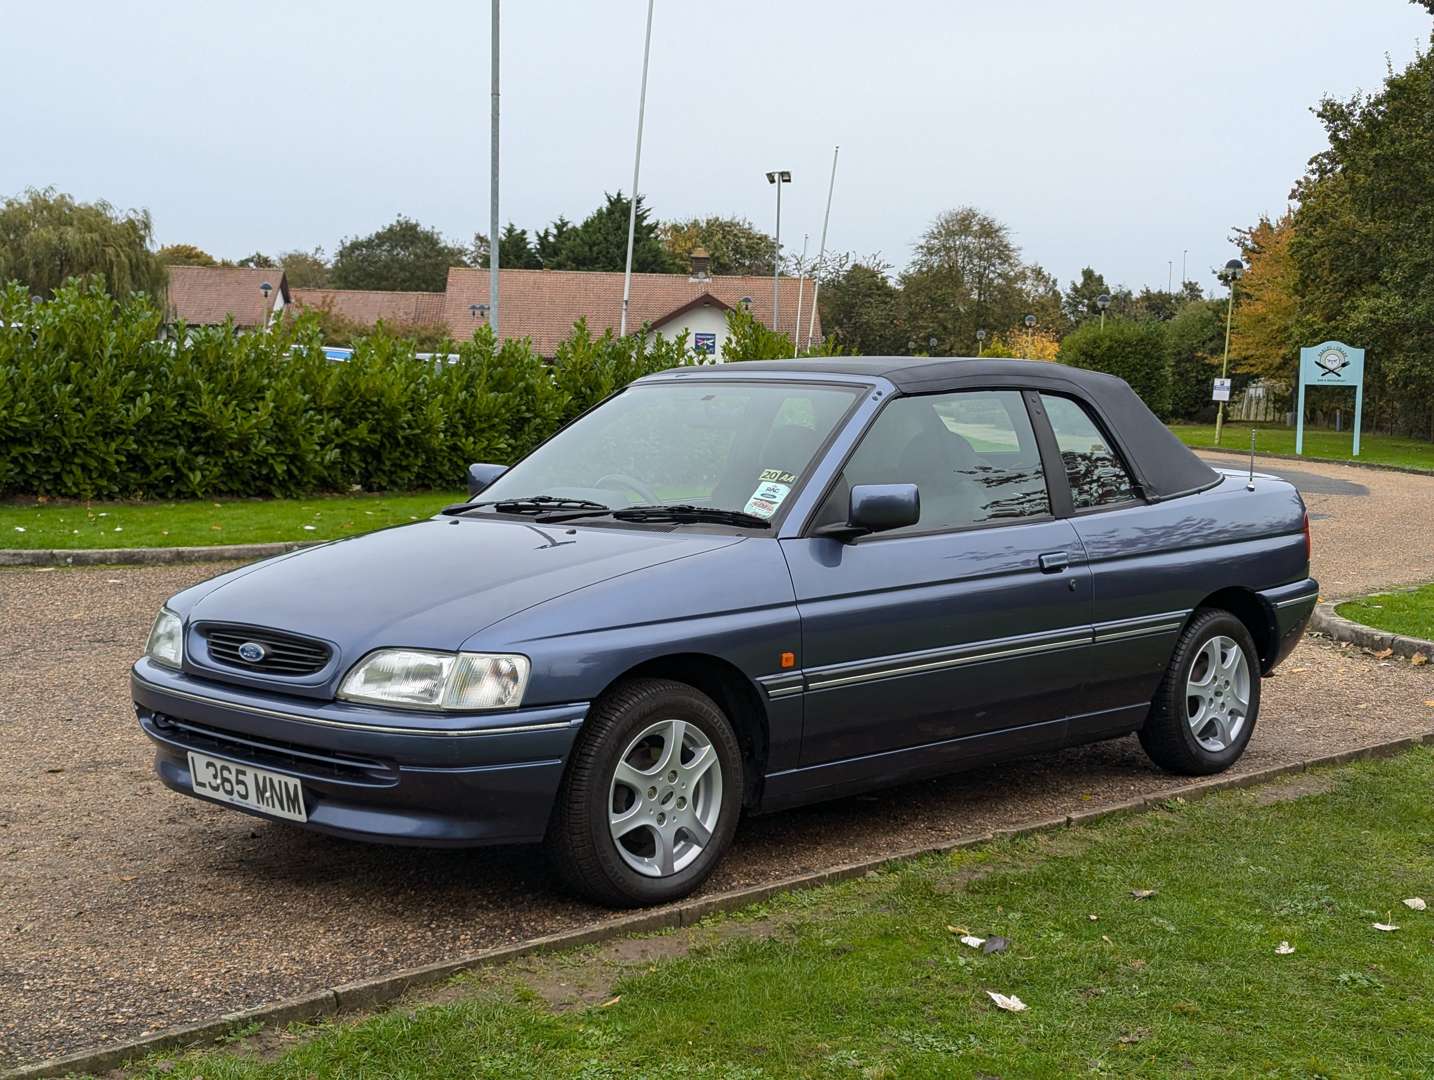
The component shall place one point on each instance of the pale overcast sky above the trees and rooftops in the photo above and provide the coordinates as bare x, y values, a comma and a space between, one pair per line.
1116, 134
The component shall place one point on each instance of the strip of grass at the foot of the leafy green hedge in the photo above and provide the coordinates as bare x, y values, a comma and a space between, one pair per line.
204, 523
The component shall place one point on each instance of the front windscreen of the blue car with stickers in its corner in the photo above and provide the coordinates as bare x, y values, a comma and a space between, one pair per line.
721, 445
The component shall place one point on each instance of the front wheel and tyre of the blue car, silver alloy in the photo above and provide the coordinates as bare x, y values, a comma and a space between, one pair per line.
680, 817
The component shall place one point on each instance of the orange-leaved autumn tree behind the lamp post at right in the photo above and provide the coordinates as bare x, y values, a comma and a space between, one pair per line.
1263, 332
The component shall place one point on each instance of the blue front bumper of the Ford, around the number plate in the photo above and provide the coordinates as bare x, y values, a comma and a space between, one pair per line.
371, 774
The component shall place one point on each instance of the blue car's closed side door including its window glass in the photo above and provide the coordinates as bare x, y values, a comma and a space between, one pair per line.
972, 622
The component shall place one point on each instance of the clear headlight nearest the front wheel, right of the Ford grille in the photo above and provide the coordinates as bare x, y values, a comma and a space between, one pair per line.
419, 679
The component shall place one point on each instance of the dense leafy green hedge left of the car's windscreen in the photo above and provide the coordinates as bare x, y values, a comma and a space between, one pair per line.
97, 404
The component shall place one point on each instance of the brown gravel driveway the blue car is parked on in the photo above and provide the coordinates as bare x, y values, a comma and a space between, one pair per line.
127, 909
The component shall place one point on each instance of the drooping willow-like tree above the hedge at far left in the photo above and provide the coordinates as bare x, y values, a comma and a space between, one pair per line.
47, 237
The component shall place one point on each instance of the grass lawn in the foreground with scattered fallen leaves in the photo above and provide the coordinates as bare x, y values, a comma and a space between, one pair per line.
868, 979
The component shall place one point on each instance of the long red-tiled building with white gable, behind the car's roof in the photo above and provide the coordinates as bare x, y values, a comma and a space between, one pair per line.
543, 305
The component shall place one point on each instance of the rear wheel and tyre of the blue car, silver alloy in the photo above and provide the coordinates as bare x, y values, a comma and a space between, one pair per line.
1205, 711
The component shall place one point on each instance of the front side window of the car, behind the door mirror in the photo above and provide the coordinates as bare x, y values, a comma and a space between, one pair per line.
972, 454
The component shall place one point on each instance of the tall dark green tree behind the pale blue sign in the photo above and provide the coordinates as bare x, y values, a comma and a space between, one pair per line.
1363, 242
